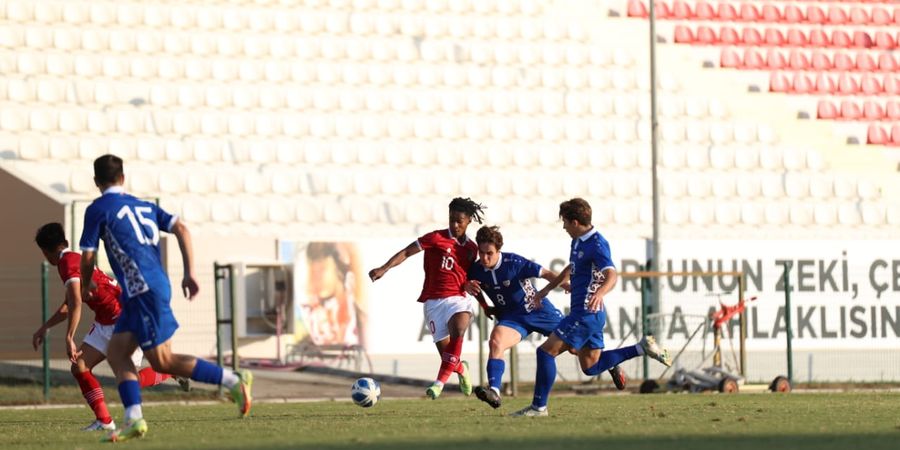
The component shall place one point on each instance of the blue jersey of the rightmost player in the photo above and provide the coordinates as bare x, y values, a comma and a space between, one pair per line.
589, 258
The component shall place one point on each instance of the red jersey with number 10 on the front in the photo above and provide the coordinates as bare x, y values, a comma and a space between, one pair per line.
446, 263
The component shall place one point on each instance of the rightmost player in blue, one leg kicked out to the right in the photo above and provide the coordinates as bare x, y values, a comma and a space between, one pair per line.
593, 275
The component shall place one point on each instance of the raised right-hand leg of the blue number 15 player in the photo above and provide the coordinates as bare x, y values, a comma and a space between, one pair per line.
239, 383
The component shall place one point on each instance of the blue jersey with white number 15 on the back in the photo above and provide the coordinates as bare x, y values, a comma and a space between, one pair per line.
130, 230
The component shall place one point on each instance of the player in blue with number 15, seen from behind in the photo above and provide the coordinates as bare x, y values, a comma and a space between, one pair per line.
130, 230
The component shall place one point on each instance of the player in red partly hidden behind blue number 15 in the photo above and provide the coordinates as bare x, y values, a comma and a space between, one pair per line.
104, 301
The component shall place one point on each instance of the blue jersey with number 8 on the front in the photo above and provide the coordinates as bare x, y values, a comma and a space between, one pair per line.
508, 284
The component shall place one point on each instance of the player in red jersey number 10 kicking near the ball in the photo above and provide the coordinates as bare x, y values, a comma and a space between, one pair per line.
448, 311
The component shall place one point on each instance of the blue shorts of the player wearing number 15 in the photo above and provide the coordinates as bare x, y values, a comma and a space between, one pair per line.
149, 317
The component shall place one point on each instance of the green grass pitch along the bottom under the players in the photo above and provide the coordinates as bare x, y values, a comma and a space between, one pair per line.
658, 422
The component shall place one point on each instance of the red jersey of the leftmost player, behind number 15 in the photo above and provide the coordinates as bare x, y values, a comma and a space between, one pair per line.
104, 298
